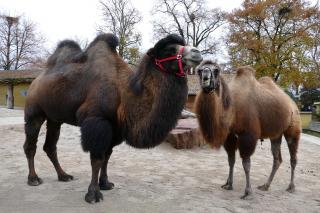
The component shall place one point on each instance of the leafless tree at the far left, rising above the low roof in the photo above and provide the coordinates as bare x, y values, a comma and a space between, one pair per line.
20, 46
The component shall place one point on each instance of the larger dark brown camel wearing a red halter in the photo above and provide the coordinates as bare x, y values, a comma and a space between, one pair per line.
97, 91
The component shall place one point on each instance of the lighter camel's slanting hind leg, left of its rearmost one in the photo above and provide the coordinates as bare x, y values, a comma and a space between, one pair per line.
277, 160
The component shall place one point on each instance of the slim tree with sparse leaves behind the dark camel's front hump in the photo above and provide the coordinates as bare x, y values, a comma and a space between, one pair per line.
120, 17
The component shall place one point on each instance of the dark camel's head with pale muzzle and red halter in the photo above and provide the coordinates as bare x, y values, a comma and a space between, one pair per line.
171, 55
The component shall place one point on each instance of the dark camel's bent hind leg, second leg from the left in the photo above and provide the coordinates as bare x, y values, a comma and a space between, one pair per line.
50, 147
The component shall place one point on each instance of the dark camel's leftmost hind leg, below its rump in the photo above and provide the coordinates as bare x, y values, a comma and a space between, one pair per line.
32, 127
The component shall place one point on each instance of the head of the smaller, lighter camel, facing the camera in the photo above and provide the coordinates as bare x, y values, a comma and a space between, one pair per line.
209, 73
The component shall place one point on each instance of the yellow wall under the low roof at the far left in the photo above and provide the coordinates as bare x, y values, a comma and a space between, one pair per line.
19, 93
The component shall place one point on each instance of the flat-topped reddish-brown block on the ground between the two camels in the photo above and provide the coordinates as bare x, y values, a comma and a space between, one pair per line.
186, 135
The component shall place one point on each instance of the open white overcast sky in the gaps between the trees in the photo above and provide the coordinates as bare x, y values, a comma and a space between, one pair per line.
61, 19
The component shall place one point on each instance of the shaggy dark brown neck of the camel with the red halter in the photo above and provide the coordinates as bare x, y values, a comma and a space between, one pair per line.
155, 112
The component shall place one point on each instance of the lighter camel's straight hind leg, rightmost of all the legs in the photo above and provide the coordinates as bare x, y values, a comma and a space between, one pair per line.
293, 143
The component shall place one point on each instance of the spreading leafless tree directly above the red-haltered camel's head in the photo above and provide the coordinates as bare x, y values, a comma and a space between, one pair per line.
191, 19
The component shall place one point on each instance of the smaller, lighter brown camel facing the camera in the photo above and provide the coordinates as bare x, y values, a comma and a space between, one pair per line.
237, 114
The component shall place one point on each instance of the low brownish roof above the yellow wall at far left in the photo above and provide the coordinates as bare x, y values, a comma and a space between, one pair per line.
18, 76
